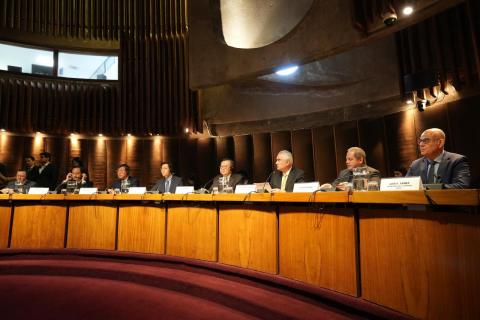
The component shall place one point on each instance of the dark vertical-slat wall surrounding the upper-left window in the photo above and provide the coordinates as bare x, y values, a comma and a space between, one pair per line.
152, 95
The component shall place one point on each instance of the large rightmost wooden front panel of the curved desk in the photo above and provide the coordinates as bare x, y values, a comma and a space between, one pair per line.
426, 265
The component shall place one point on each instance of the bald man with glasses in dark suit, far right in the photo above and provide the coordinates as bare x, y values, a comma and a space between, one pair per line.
437, 165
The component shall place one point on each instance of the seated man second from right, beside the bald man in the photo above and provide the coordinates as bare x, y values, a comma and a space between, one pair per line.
355, 158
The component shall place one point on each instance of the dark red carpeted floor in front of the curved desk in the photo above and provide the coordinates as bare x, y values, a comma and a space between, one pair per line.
68, 284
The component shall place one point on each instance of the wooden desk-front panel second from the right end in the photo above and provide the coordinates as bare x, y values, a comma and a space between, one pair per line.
319, 248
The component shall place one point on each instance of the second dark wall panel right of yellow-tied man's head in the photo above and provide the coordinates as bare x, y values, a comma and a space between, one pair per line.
324, 154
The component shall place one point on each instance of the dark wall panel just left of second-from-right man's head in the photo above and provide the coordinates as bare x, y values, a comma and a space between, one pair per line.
346, 136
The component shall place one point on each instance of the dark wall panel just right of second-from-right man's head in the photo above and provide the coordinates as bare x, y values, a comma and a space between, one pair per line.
372, 140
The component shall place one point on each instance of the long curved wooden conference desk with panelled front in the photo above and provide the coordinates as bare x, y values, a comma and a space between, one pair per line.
416, 252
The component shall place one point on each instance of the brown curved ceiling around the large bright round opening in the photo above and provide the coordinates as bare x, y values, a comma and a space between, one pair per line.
349, 68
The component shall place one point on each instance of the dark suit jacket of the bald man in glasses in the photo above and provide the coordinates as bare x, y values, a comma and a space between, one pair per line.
453, 171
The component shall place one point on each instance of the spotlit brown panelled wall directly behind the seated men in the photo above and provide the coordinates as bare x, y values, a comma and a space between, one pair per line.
390, 142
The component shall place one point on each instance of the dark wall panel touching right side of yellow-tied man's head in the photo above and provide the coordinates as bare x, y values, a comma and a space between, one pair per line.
303, 150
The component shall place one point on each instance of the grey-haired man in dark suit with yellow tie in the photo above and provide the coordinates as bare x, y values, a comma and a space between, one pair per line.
286, 175
